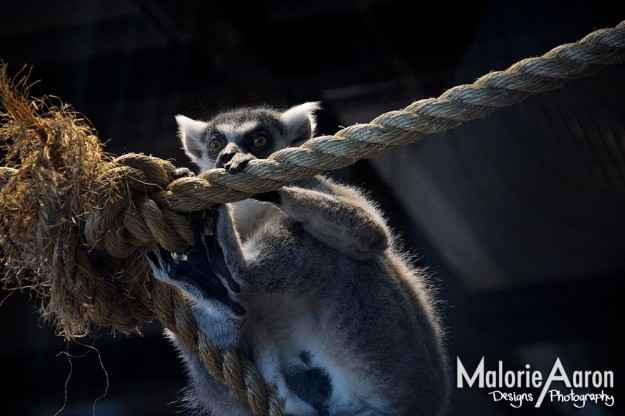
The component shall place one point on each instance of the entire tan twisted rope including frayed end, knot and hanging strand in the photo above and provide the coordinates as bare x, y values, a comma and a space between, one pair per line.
77, 222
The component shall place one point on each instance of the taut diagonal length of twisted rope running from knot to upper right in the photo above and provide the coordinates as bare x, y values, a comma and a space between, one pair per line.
423, 117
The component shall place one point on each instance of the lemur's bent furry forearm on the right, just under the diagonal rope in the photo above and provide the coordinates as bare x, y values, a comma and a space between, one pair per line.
337, 215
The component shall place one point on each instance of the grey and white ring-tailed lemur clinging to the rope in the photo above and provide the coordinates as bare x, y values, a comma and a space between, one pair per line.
308, 283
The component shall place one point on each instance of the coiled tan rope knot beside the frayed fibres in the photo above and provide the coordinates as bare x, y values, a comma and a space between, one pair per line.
132, 210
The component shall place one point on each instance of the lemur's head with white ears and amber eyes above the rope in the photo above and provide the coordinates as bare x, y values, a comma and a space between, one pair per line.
257, 131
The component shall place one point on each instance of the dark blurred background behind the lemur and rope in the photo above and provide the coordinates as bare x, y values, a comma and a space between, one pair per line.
518, 216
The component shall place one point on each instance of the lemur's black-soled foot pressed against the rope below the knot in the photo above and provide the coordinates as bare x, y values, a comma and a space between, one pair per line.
201, 271
